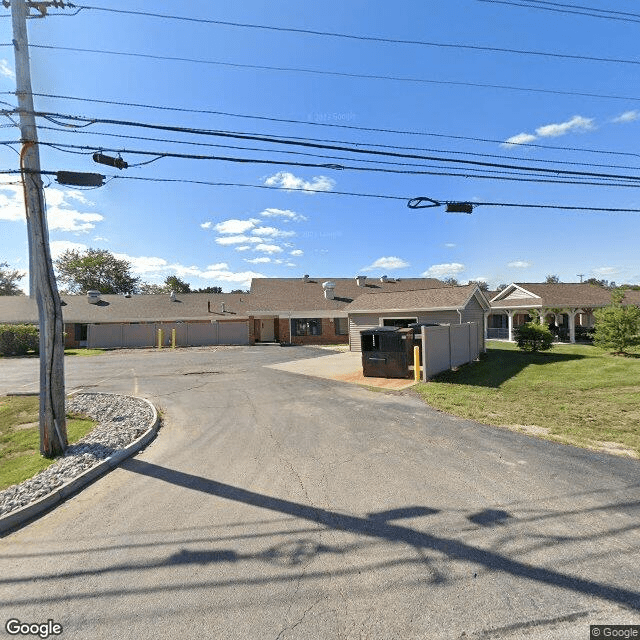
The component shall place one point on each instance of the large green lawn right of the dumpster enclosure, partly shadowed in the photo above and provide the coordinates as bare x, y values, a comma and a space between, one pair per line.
576, 394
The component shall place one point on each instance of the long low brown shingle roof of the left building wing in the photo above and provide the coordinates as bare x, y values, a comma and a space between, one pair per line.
137, 308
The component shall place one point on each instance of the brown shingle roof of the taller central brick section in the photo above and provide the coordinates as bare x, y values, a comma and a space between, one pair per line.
297, 295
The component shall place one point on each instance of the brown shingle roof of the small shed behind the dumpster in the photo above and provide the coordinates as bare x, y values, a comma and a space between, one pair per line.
414, 300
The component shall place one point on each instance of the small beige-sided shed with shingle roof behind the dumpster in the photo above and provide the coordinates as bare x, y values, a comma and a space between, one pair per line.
437, 305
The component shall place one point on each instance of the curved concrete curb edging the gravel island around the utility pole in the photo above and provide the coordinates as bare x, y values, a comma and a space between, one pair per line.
28, 512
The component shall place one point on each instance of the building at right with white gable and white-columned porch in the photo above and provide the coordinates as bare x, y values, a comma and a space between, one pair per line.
566, 307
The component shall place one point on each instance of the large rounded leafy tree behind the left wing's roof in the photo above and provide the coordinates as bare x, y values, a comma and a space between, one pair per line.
95, 269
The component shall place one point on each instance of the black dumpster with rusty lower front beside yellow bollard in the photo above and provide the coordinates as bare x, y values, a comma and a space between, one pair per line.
387, 352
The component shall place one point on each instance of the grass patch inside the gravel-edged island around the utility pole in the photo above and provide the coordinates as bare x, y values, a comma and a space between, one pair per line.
20, 439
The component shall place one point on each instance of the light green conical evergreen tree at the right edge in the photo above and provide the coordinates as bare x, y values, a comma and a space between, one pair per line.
617, 326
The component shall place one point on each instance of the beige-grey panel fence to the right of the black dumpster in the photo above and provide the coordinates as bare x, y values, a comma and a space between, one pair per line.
447, 346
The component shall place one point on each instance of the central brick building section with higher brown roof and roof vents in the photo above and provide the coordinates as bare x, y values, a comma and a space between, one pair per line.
312, 310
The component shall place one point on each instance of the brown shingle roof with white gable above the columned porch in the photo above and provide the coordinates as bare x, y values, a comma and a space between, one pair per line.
578, 295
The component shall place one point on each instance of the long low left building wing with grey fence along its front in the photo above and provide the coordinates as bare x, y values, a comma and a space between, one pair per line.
121, 321
